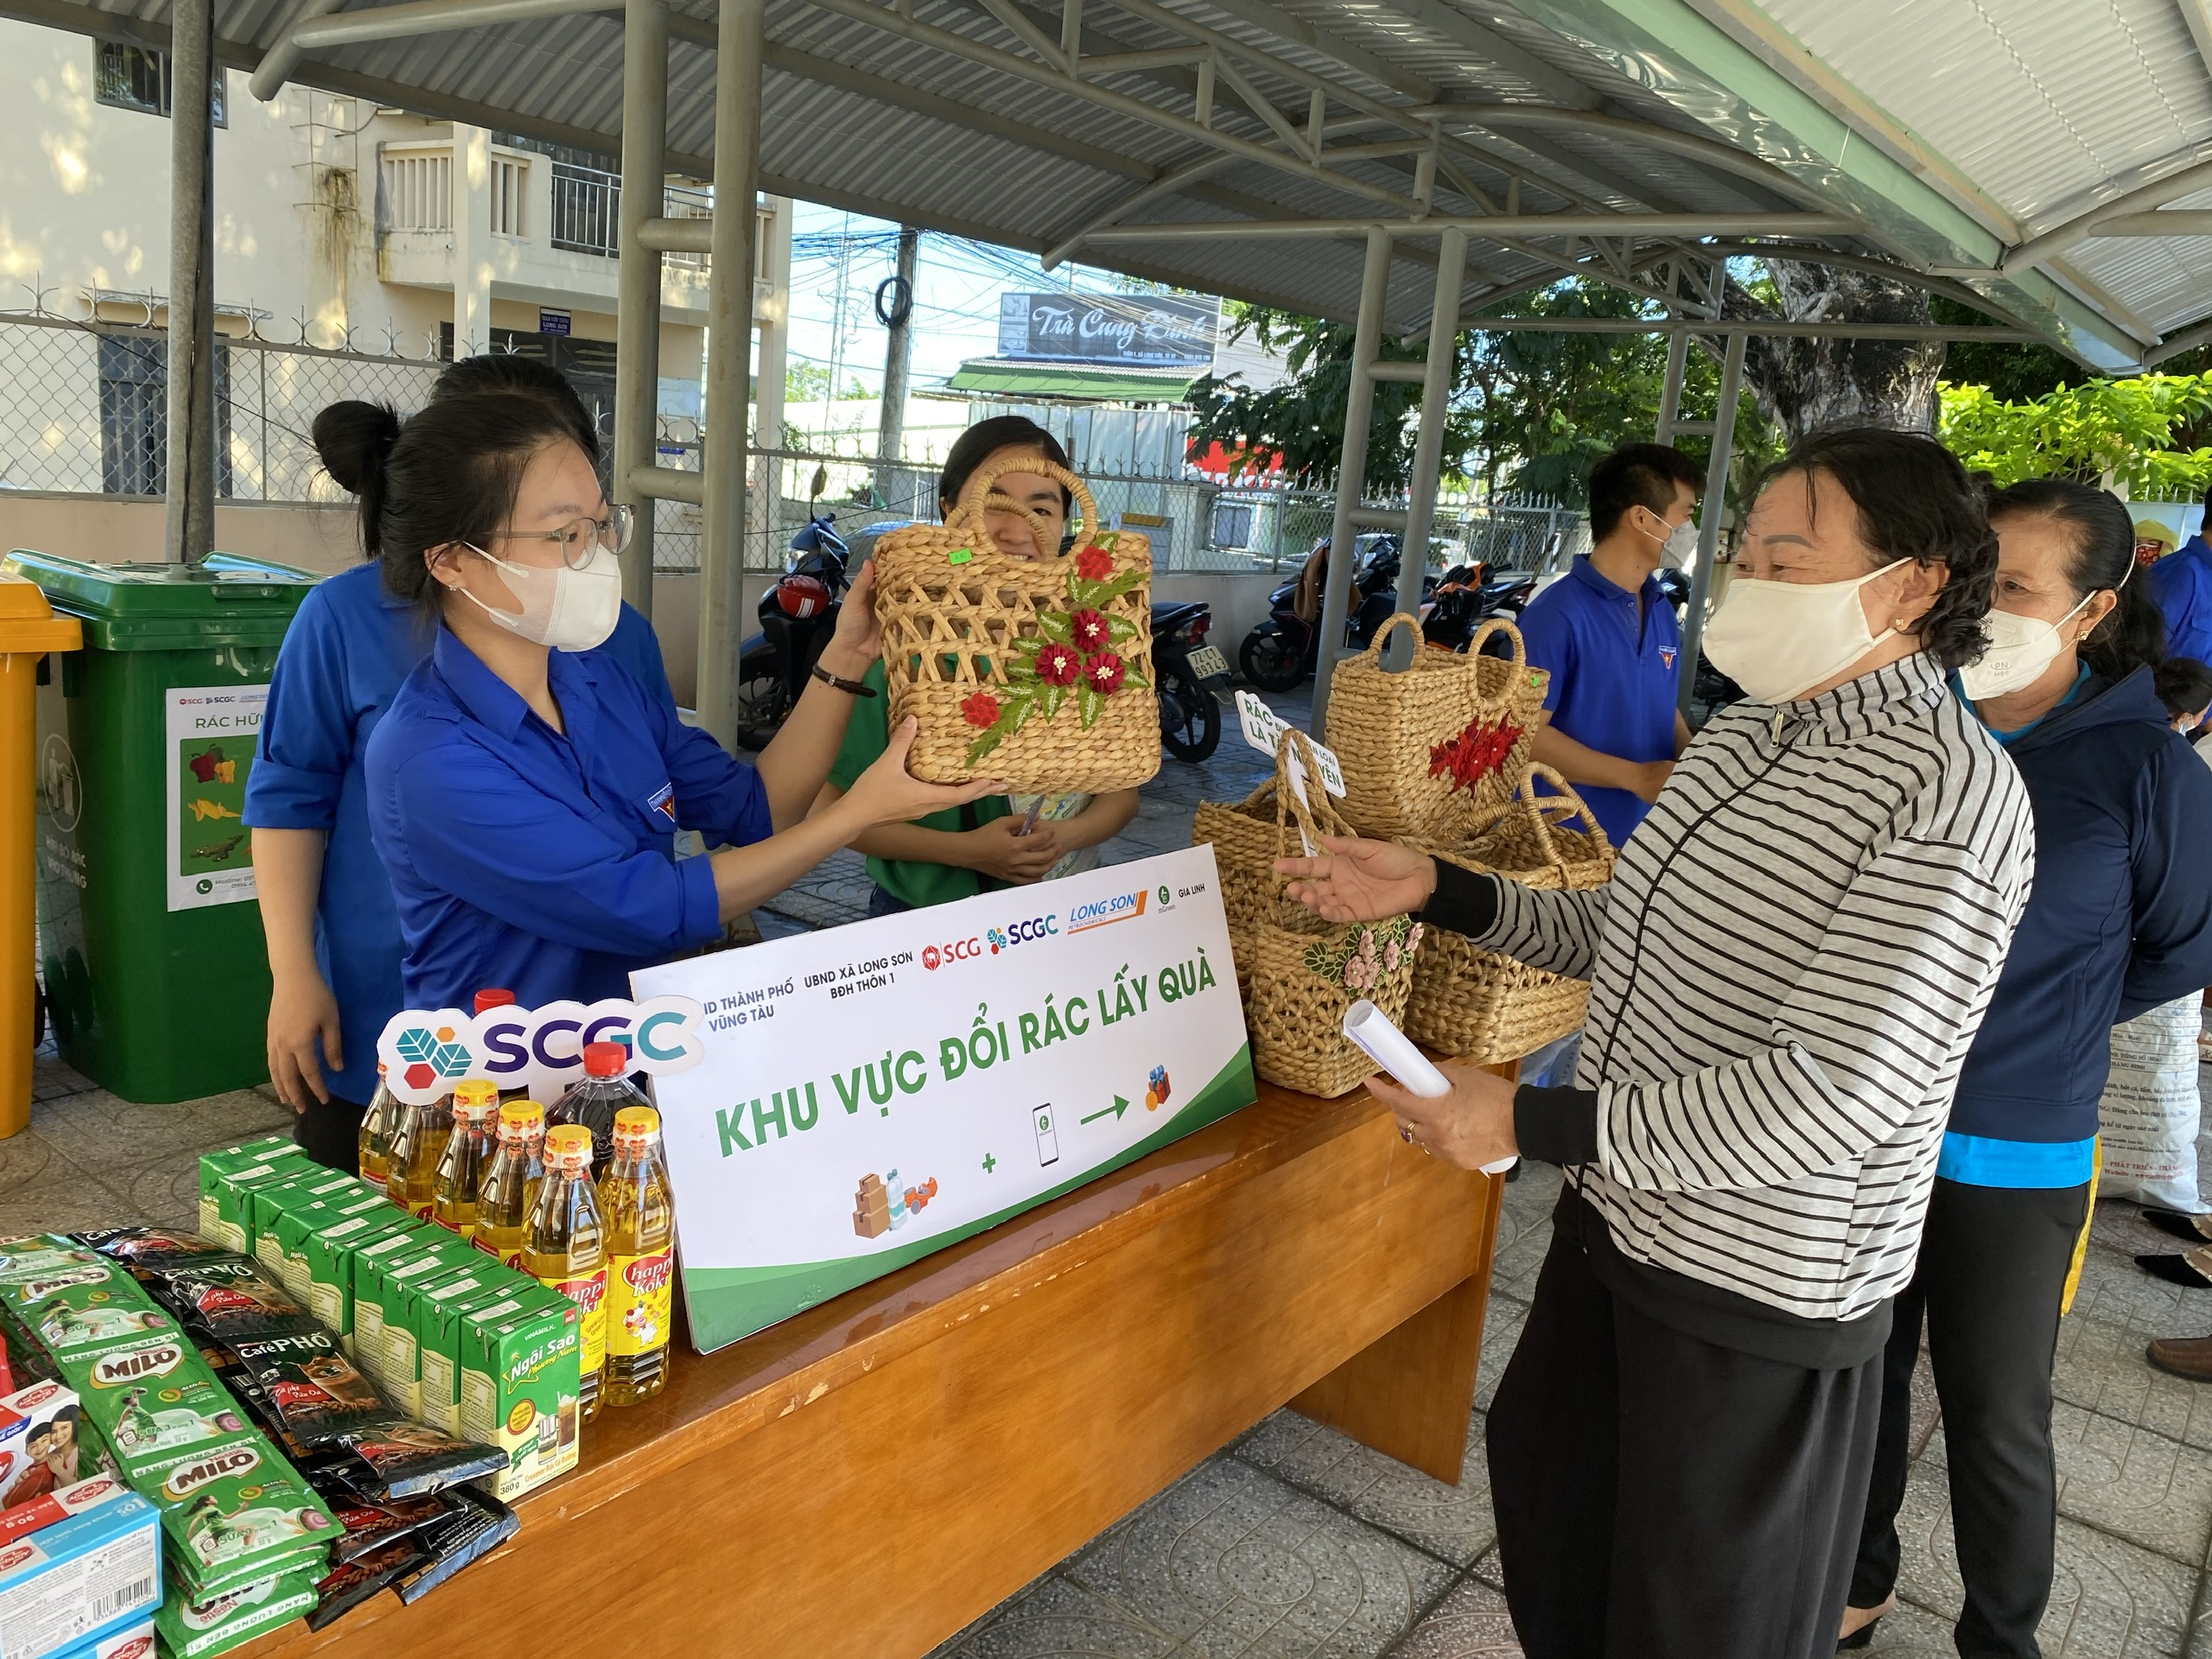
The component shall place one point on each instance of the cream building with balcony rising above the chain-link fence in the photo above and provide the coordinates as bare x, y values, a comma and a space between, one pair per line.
340, 225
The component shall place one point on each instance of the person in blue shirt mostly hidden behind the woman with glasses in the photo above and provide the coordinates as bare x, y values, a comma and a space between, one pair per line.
326, 904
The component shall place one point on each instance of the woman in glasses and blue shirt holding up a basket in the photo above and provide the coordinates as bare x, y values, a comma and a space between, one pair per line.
523, 789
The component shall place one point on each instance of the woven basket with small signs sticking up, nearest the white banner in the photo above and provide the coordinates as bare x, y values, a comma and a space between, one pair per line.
1306, 972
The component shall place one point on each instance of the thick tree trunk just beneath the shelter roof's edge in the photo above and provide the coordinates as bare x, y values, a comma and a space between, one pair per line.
1811, 386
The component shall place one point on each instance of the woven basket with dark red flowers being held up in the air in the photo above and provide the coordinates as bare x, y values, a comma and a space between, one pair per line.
1036, 674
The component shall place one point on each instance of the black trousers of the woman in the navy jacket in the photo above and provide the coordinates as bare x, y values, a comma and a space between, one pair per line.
1990, 1282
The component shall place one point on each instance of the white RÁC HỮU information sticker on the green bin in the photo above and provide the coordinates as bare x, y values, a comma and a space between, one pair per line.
213, 733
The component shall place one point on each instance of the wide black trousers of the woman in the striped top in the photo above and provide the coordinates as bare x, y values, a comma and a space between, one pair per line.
1667, 1499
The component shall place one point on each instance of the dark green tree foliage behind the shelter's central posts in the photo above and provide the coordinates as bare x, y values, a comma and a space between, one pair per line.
1527, 410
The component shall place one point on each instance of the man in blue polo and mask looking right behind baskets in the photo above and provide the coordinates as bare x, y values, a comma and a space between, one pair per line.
1611, 643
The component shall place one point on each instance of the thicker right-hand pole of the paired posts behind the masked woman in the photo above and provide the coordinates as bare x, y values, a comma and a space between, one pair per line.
729, 366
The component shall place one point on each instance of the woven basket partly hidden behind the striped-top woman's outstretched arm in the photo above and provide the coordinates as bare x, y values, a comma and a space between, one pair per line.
1488, 1008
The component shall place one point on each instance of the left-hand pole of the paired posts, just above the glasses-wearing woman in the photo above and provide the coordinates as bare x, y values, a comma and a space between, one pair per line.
638, 298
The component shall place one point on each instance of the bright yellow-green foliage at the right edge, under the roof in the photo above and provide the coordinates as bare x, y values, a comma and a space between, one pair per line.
2147, 432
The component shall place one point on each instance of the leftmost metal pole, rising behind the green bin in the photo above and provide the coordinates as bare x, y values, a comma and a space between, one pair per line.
191, 284
